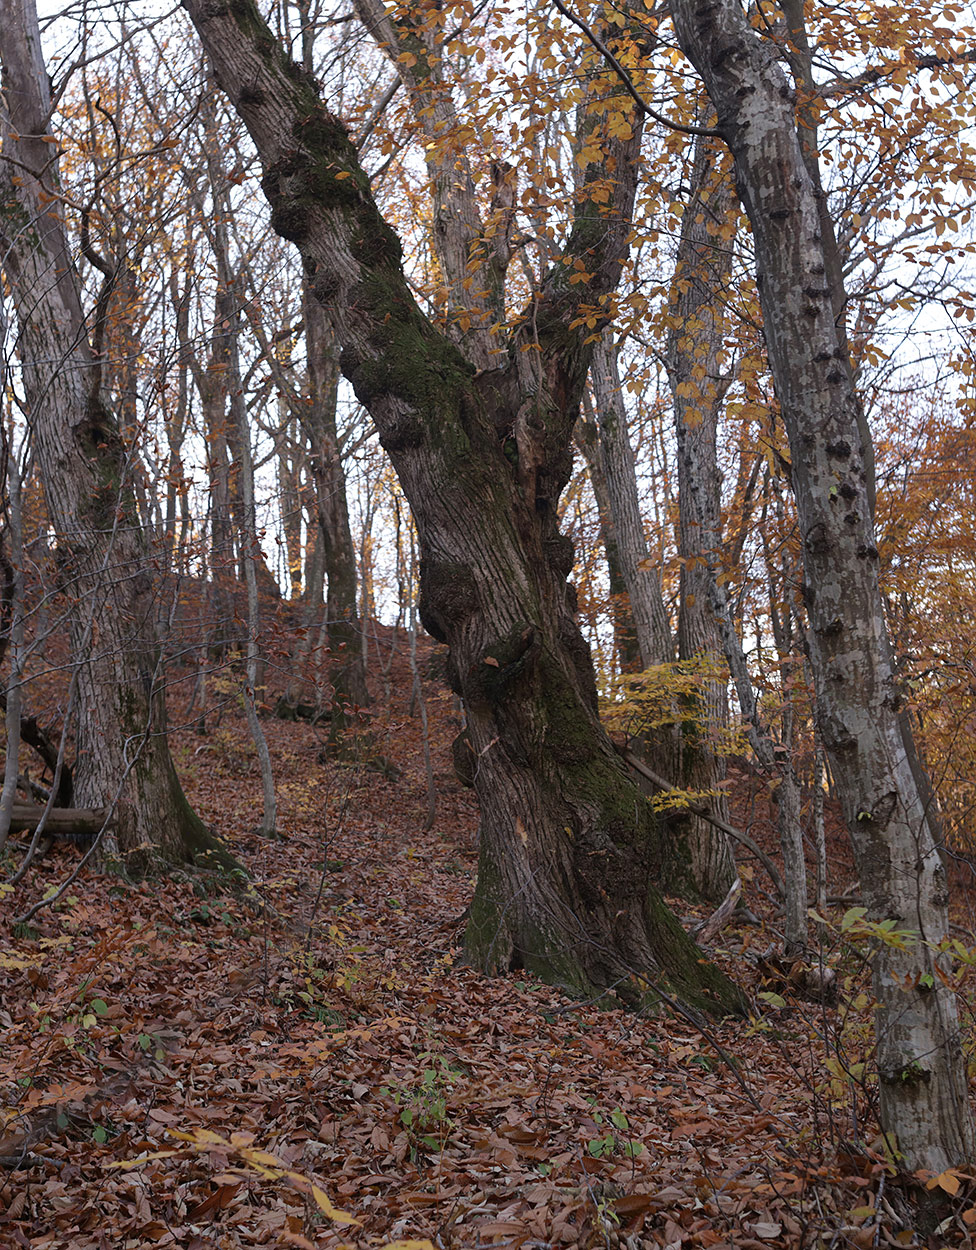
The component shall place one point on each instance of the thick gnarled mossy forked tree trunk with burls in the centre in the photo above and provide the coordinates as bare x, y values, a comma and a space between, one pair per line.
569, 847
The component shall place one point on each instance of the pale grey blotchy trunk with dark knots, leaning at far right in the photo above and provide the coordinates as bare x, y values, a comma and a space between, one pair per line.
923, 1076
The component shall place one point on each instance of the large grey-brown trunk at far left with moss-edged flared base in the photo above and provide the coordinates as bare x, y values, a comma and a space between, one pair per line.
102, 552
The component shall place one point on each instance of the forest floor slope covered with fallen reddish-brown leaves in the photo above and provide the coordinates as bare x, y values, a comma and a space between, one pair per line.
184, 1068
